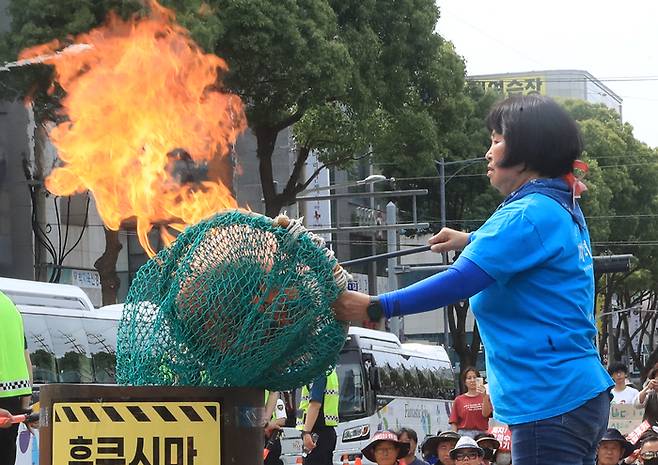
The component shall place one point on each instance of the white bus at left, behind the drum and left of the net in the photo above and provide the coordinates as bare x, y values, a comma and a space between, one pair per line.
69, 341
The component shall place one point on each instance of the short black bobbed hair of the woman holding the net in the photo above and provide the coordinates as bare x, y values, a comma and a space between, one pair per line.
539, 134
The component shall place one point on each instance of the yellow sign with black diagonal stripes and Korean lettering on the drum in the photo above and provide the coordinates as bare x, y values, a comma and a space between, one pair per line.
136, 433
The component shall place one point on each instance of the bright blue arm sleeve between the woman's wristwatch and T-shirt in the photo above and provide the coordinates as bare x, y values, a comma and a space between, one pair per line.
461, 280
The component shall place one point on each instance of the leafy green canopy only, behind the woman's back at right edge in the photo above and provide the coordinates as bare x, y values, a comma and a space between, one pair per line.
621, 204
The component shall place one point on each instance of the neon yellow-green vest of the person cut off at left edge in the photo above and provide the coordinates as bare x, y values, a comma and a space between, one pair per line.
14, 376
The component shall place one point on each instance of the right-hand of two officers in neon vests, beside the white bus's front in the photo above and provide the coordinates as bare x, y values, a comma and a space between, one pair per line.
318, 418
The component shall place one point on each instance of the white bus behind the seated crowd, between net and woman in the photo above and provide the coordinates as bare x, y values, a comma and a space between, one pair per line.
384, 385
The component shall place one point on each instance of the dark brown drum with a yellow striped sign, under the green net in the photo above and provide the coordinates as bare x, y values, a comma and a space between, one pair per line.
91, 424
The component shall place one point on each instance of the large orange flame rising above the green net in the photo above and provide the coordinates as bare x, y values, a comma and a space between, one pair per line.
143, 104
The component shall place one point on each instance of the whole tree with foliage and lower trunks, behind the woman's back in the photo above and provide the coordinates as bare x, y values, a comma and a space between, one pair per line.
622, 215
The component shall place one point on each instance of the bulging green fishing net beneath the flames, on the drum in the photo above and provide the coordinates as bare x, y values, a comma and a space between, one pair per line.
237, 300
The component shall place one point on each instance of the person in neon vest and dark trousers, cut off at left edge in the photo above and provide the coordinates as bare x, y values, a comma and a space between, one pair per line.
15, 375
